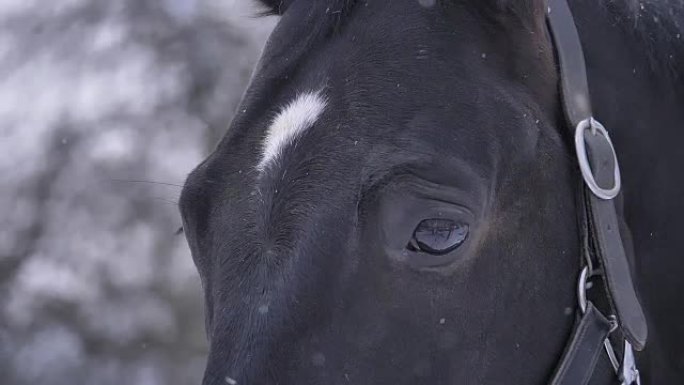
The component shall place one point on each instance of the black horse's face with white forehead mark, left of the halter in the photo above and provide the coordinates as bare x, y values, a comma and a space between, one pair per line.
395, 202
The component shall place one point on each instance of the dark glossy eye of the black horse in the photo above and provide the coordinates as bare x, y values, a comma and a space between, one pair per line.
438, 236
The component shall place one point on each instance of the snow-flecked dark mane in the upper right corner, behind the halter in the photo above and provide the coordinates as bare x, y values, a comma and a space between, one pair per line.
657, 26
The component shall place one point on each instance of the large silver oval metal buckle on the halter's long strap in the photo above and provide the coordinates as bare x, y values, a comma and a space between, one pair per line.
585, 167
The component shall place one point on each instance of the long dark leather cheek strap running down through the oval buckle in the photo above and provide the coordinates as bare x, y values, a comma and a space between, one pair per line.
605, 238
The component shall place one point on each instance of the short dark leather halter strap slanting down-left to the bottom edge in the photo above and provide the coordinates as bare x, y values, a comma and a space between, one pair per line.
584, 349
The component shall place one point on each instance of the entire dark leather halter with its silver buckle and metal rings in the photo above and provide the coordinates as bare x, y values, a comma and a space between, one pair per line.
604, 256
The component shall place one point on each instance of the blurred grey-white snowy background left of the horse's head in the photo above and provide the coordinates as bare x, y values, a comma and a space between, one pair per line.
105, 106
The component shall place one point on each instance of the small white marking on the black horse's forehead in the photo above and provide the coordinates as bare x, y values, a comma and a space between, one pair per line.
292, 120
